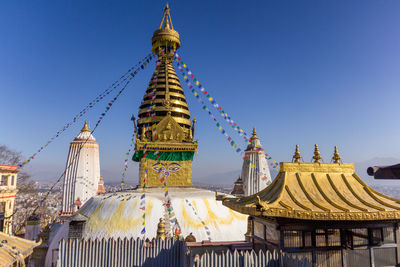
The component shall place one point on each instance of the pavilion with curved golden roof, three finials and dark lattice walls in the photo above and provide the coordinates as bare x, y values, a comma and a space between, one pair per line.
323, 212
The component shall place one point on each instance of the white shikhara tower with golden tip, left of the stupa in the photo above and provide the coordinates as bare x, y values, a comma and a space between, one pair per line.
83, 172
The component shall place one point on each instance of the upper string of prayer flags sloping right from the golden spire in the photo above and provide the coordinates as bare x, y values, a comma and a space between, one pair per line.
187, 73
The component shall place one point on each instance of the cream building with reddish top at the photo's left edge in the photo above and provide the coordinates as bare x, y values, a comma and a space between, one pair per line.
8, 190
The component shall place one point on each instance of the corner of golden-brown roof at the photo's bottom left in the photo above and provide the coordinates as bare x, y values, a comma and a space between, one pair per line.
15, 249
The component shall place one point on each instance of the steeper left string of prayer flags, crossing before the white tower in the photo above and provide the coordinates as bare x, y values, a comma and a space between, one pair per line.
108, 107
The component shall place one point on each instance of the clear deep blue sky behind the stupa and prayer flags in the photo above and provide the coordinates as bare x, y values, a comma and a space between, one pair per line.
302, 72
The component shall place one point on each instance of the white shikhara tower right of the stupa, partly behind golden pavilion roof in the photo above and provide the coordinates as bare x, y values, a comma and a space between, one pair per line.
255, 170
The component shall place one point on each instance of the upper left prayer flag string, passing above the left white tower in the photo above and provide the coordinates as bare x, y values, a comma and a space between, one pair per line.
128, 75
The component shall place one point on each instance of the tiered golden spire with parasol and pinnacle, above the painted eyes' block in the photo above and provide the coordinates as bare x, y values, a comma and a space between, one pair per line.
170, 99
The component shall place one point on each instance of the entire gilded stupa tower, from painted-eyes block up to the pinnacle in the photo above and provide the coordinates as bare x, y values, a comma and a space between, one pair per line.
164, 144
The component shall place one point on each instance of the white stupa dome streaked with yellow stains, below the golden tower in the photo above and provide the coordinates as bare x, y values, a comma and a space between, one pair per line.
197, 211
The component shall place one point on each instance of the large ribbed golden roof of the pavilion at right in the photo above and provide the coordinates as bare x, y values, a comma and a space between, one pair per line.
318, 191
